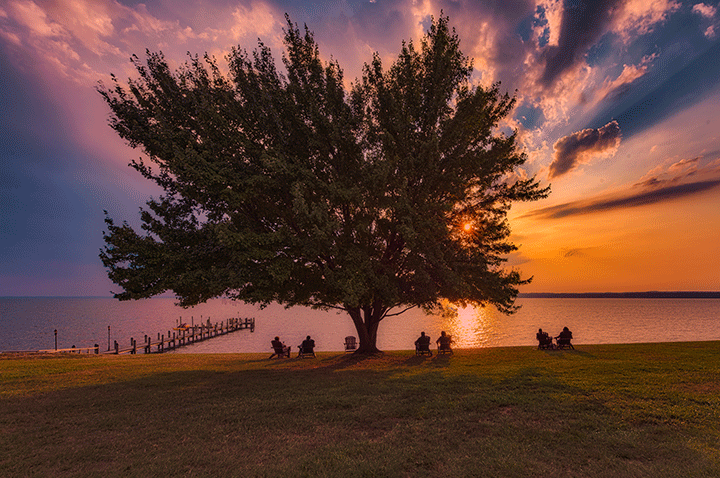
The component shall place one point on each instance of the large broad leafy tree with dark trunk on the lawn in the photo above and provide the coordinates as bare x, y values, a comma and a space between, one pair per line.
285, 187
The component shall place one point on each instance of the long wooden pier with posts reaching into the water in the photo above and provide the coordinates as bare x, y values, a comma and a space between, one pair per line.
180, 336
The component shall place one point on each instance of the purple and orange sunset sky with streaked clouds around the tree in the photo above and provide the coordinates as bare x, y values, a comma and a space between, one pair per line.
618, 108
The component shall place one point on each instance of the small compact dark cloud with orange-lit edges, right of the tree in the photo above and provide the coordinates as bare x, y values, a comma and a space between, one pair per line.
581, 147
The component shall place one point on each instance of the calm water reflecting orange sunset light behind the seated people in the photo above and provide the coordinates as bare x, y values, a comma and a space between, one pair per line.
29, 323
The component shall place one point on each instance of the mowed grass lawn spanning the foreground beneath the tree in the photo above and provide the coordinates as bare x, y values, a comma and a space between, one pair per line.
640, 410
